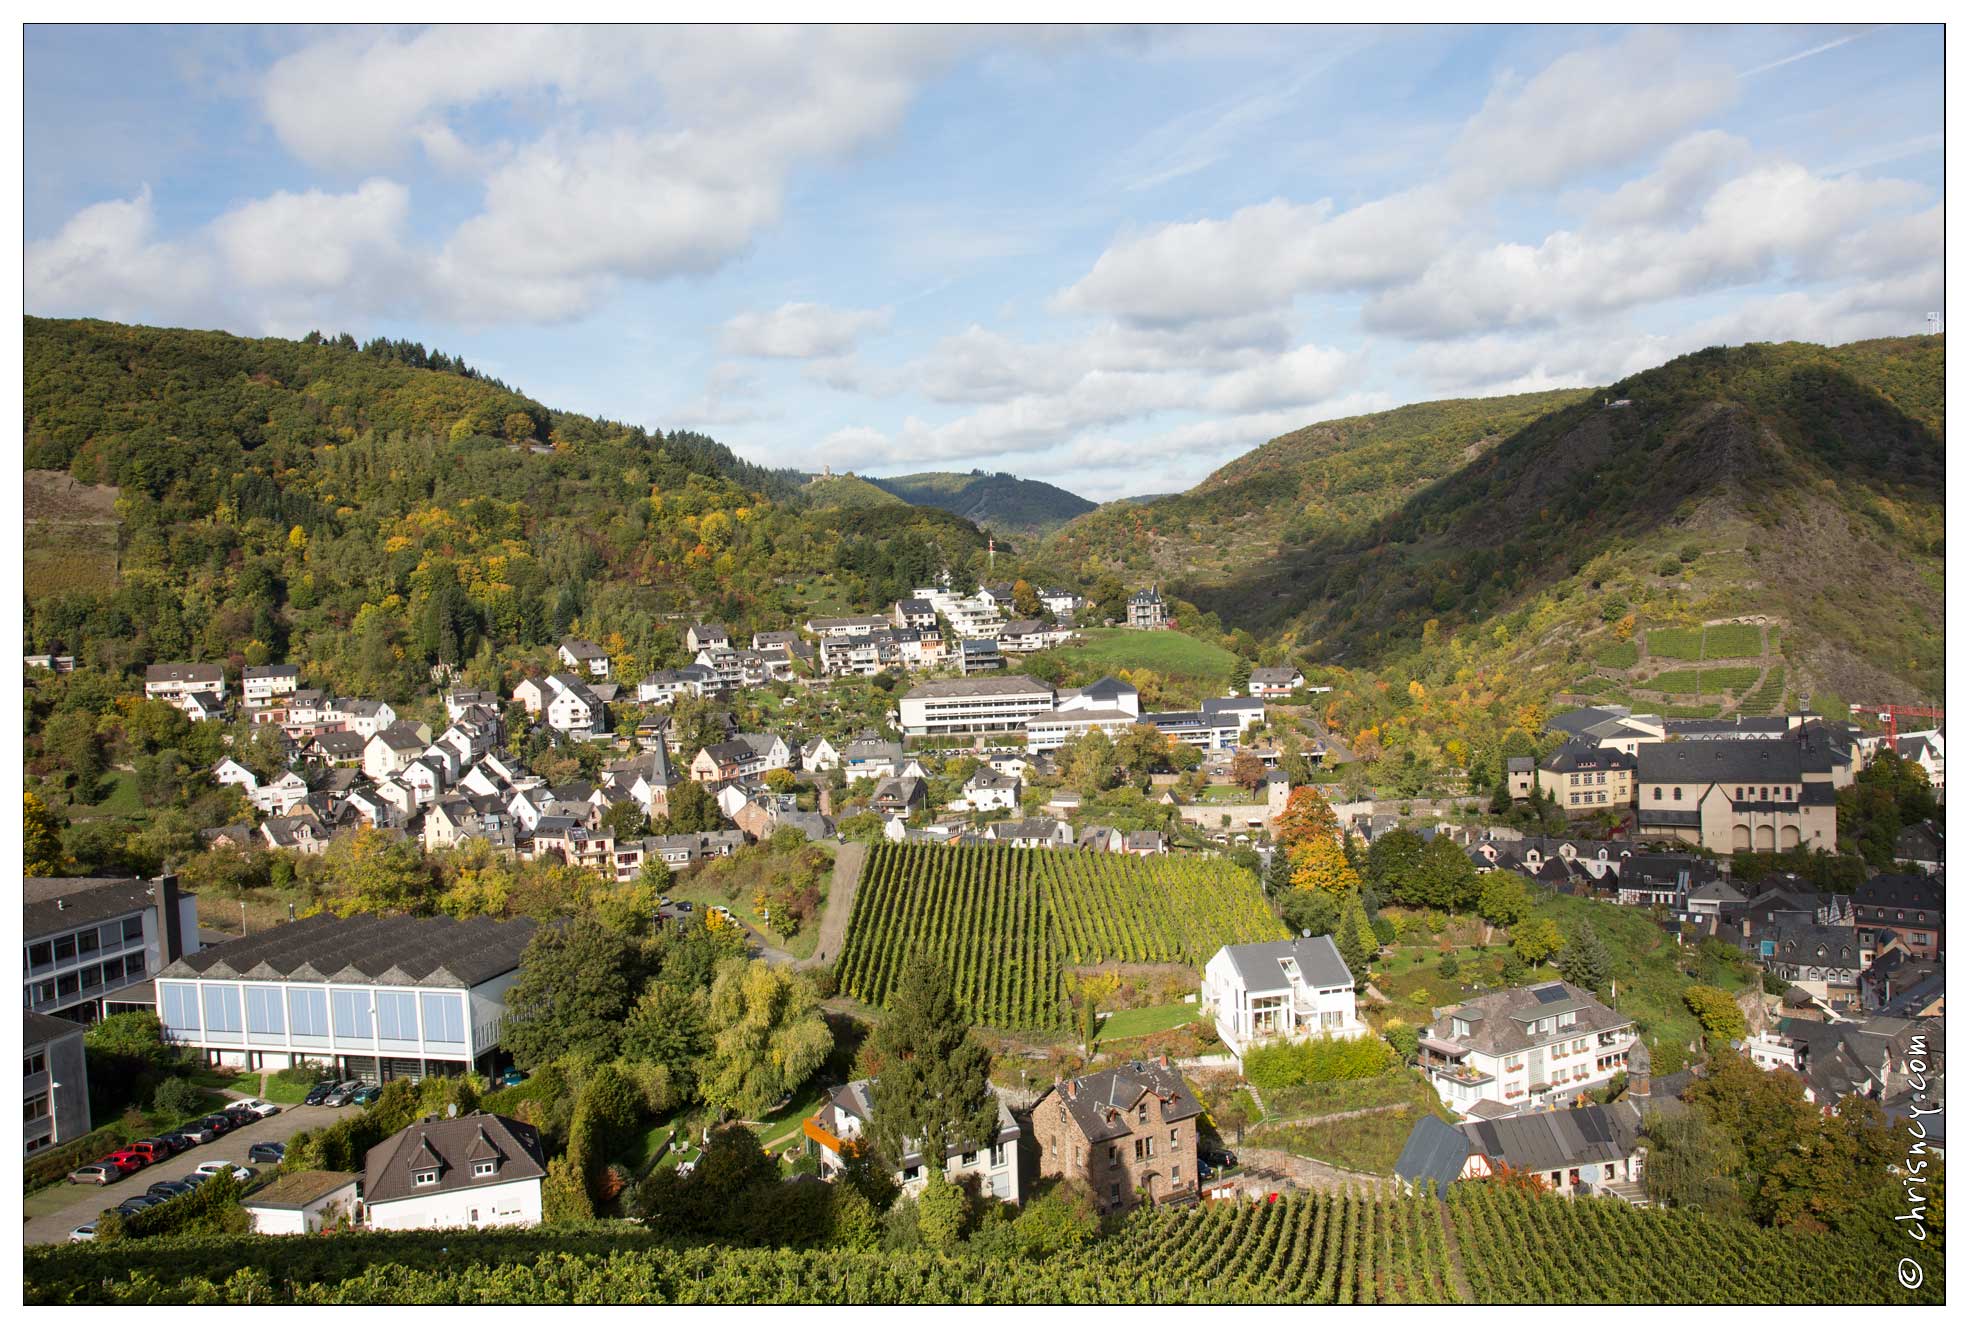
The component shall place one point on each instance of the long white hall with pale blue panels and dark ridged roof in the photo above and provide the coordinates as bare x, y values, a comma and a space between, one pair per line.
367, 997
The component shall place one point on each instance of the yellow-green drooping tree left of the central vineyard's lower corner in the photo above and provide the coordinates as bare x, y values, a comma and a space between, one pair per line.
769, 1037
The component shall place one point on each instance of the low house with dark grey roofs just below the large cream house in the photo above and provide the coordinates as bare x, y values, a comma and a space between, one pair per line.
1580, 1151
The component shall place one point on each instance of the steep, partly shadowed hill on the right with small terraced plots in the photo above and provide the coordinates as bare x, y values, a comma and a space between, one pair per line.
1793, 483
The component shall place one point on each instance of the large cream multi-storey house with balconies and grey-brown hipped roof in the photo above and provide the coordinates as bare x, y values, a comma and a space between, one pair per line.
1523, 1048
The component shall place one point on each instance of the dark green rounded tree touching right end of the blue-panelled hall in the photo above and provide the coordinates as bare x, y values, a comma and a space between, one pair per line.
578, 981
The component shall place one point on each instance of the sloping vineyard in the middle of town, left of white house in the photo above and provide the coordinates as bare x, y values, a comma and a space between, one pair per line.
1009, 922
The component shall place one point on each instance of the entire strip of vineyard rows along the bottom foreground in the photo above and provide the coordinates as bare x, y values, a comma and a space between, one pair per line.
1302, 1249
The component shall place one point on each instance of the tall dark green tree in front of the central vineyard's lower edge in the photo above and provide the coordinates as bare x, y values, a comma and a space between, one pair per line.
936, 1080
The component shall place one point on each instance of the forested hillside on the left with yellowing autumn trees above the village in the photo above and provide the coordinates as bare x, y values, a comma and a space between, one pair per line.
365, 519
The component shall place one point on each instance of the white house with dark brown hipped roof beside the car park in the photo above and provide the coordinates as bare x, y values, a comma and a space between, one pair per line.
472, 1171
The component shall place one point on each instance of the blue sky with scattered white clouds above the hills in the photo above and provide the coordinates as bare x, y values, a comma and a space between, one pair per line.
1110, 259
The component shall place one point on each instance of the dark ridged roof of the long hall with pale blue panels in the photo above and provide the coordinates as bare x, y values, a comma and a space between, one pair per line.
365, 948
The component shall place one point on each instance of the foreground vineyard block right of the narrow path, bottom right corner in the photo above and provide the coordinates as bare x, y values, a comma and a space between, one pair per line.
1531, 1249
